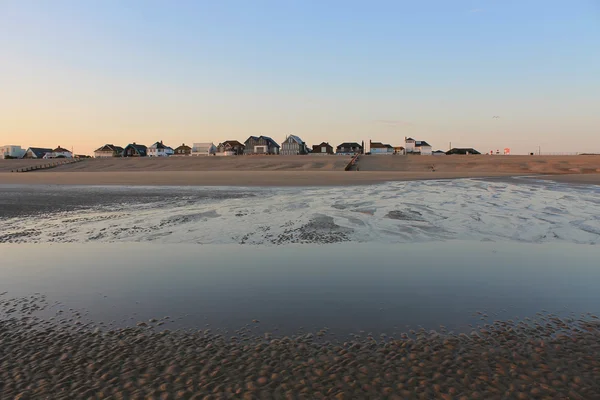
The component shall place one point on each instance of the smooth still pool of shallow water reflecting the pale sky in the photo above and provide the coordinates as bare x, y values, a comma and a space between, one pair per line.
347, 287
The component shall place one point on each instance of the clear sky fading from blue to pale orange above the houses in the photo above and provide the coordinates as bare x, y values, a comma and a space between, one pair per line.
82, 73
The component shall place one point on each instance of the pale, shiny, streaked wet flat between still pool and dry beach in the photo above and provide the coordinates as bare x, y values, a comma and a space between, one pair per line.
465, 209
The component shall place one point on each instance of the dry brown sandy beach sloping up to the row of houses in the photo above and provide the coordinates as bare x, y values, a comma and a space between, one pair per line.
301, 170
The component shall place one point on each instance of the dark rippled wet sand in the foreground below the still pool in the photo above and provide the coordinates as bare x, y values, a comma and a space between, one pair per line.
63, 358
